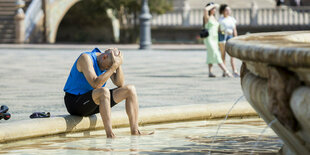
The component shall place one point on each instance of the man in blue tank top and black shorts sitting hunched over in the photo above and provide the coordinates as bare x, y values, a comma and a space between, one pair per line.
86, 94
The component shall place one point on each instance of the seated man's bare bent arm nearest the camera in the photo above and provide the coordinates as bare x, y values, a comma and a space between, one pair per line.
85, 65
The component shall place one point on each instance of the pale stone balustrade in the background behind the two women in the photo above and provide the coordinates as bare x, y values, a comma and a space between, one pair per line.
285, 16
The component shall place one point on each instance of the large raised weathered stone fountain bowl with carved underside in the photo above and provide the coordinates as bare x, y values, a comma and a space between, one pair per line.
275, 78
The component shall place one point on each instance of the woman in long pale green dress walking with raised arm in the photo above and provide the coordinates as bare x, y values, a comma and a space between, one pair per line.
211, 42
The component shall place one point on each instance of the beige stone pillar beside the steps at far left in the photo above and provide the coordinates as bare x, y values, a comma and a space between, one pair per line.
19, 22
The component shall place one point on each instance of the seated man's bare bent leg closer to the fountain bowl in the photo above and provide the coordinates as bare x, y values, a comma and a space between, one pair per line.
128, 93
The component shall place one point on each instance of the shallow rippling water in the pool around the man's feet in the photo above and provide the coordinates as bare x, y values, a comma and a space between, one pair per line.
185, 137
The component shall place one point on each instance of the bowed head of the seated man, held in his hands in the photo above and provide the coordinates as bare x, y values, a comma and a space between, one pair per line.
106, 58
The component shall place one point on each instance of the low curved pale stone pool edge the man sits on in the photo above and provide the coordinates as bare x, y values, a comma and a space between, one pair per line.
28, 129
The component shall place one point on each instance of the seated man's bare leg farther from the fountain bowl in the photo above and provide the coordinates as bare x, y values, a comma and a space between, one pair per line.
101, 97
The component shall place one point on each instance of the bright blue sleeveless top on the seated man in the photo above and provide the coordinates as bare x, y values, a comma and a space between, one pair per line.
76, 83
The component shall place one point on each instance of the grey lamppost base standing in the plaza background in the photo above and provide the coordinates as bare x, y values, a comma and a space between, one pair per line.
145, 26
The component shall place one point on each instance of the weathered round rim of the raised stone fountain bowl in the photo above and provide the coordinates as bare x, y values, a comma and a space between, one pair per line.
276, 48
